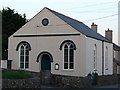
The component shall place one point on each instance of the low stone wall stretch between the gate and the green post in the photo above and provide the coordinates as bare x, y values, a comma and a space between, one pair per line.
70, 81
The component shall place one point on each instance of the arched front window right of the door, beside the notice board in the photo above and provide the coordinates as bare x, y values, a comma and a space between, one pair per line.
68, 56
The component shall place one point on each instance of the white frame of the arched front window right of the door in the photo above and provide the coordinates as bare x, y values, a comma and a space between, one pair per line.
68, 56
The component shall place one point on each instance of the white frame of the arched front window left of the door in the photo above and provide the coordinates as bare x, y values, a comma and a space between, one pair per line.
24, 45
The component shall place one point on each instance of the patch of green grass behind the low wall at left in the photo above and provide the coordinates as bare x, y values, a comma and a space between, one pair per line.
20, 74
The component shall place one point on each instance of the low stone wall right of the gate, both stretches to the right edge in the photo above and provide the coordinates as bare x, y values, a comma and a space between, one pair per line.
83, 82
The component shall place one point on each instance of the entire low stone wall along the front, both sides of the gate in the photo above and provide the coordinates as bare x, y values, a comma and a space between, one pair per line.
61, 81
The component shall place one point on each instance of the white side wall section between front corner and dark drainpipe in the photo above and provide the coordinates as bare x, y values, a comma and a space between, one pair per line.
90, 42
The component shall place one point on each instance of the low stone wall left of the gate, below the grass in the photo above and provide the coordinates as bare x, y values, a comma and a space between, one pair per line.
21, 83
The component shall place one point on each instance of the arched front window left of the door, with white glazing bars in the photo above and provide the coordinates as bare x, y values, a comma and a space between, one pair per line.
24, 56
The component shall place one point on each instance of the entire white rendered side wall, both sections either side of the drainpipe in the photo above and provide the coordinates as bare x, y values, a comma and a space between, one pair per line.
90, 56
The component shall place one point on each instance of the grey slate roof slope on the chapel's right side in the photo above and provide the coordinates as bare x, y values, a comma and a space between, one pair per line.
81, 27
